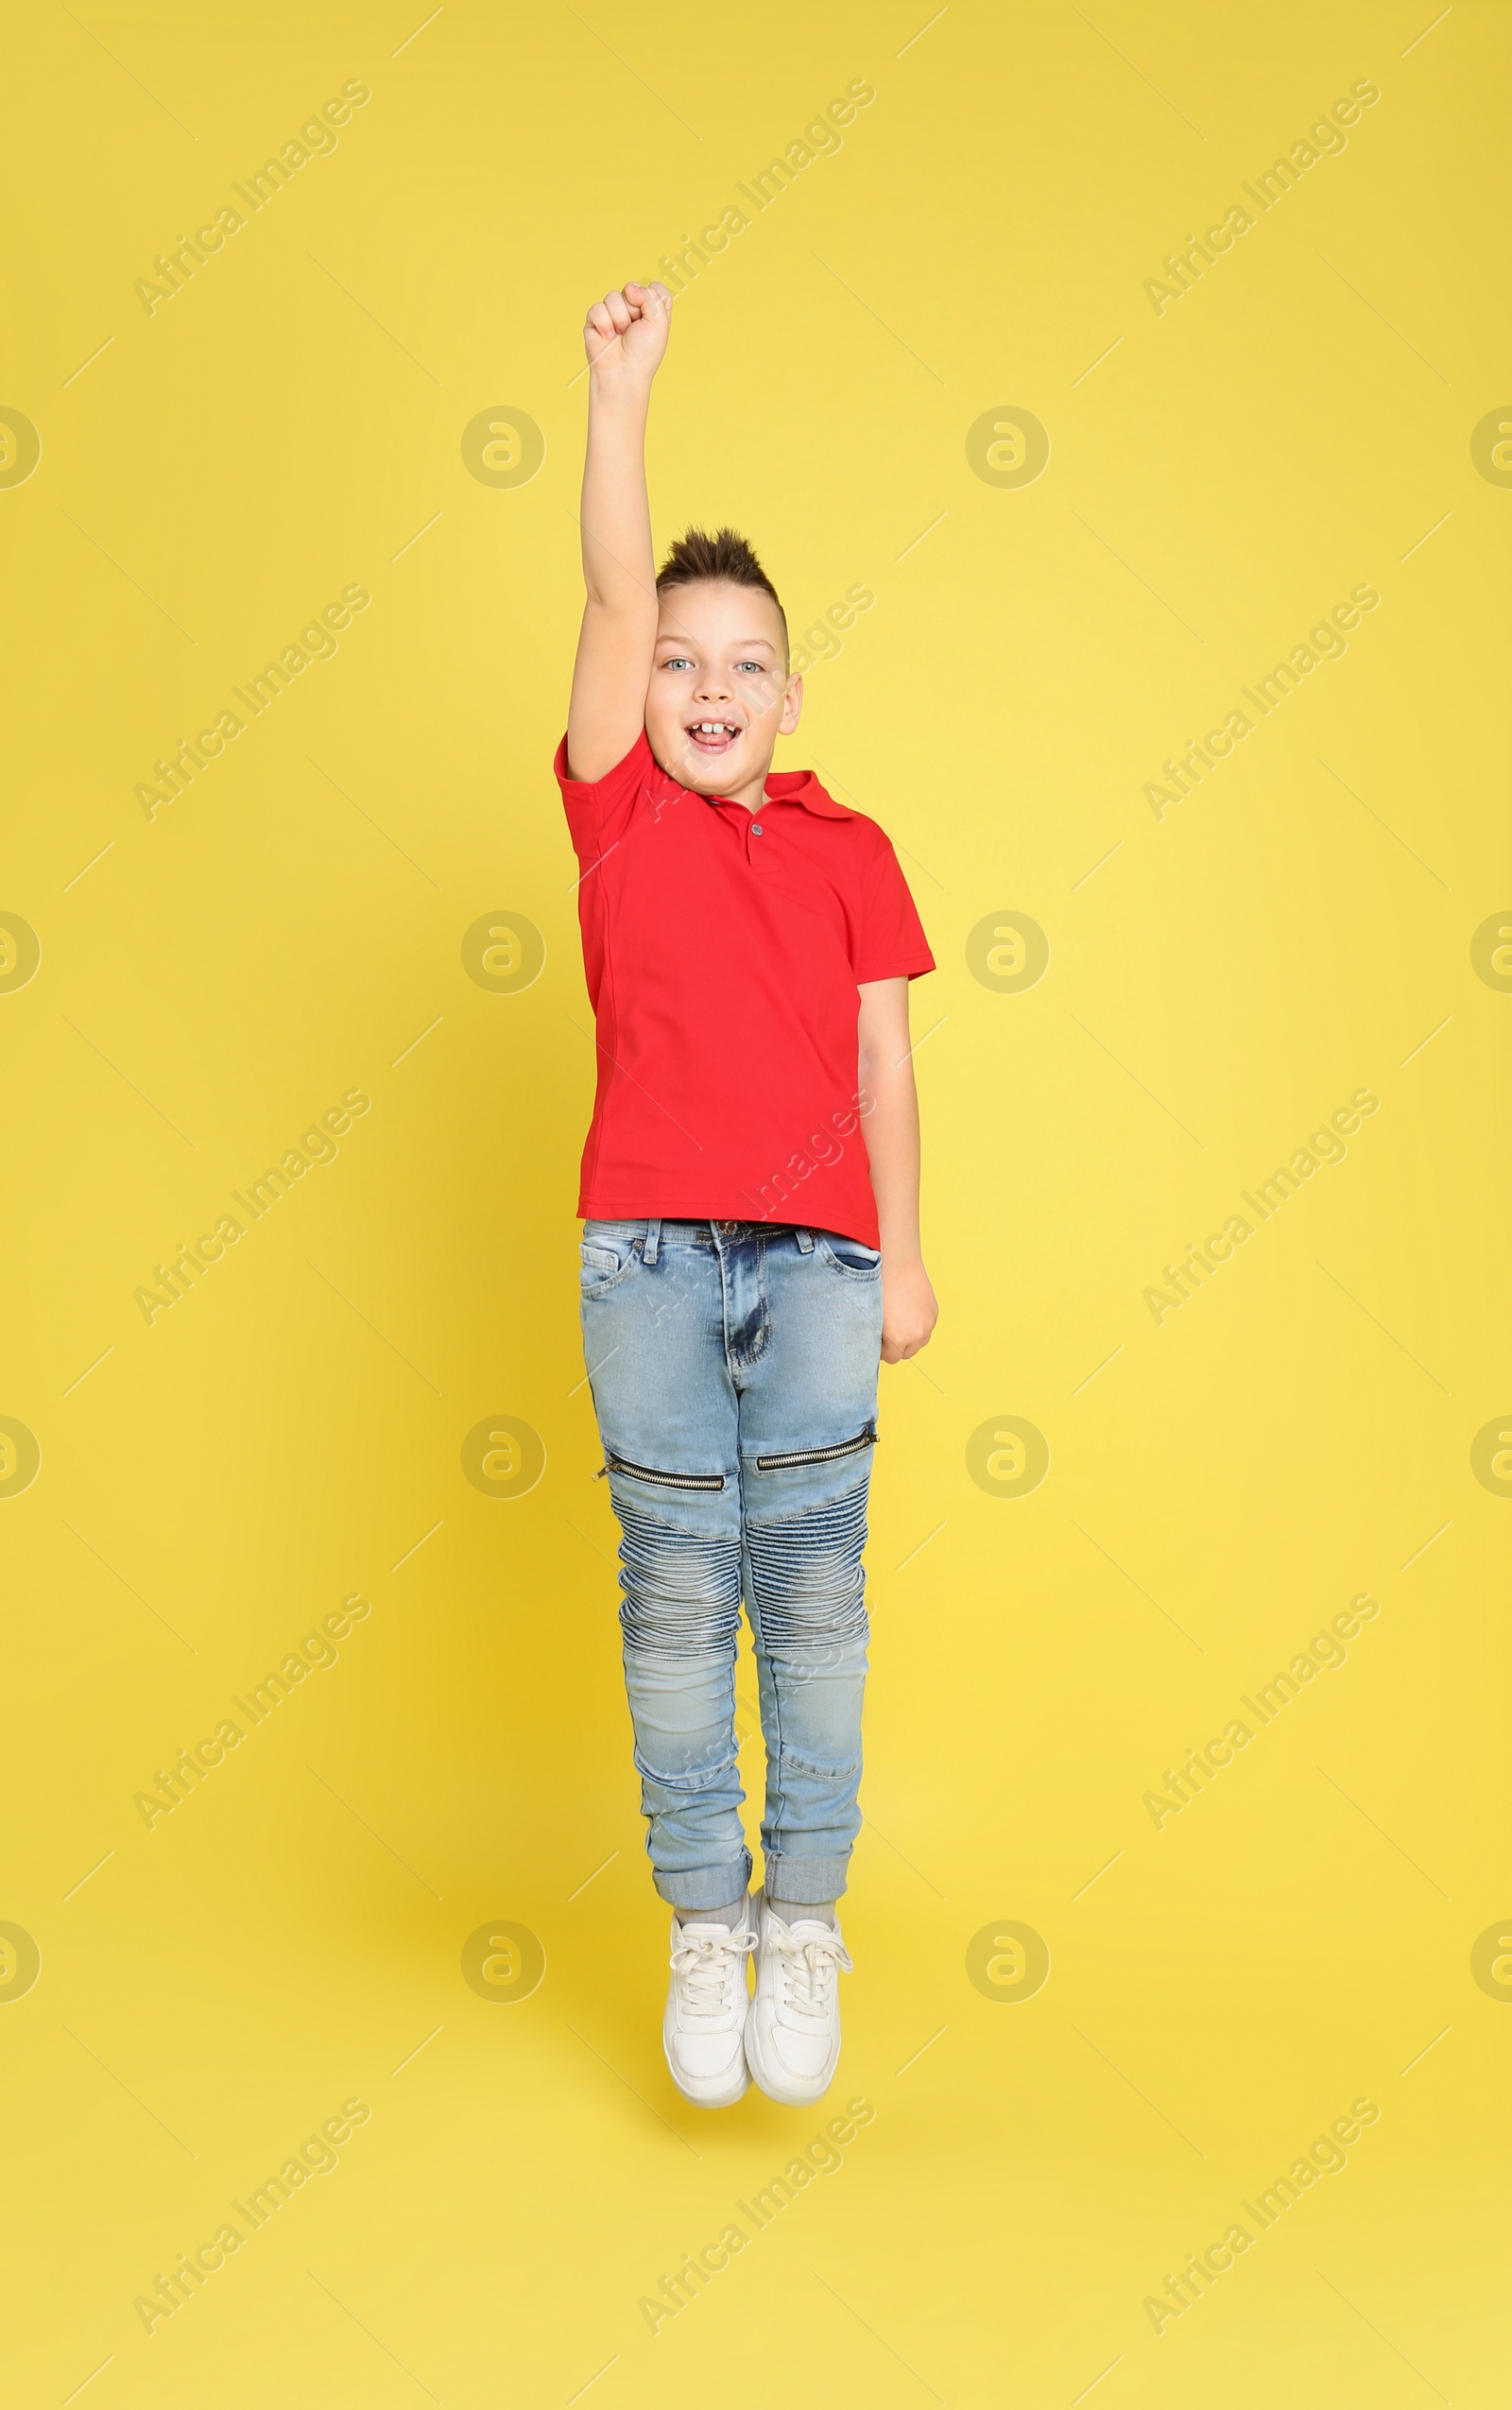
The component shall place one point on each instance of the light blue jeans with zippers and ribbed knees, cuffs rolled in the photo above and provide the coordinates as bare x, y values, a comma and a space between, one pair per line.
734, 1372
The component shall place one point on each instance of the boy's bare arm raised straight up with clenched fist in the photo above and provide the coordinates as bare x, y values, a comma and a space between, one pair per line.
626, 339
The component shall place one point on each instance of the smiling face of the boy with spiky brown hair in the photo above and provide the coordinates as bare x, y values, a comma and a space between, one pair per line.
720, 688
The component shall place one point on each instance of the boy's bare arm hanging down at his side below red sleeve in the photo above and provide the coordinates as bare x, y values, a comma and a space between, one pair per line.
886, 1078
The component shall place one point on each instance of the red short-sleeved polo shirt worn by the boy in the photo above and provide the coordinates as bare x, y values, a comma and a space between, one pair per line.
725, 951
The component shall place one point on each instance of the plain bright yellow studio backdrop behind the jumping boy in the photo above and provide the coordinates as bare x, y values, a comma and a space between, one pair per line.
291, 929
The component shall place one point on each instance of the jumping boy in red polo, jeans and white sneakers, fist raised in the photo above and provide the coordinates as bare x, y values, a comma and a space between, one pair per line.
749, 1254
